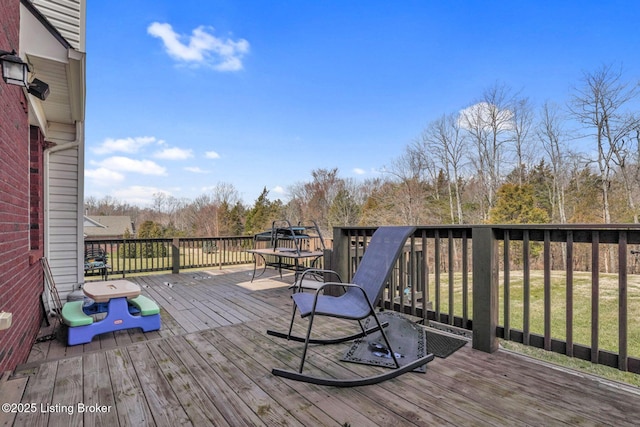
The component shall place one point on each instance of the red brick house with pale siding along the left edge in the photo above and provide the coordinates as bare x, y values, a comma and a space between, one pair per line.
42, 163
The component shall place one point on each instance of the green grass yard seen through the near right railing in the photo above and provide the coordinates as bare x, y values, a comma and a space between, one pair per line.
608, 302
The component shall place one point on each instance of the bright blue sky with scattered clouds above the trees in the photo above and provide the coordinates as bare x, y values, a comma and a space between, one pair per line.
183, 95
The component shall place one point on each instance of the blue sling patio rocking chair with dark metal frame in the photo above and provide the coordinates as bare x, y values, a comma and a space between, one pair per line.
356, 303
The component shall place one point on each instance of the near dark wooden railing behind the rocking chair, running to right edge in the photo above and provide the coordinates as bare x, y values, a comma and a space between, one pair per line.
571, 289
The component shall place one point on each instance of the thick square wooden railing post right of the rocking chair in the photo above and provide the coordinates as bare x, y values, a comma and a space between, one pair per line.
485, 289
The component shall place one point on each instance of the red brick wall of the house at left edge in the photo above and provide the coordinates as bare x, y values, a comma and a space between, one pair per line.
21, 280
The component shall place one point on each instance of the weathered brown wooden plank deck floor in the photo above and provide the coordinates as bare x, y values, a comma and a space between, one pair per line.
210, 365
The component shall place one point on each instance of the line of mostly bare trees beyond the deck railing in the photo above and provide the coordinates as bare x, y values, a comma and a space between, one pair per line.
499, 160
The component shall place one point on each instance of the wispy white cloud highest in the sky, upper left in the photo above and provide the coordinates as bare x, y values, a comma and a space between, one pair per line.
202, 48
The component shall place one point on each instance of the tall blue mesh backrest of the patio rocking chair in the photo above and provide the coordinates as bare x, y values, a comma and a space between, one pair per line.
378, 260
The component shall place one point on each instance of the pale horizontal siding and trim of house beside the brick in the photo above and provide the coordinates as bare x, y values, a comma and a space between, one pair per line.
64, 160
